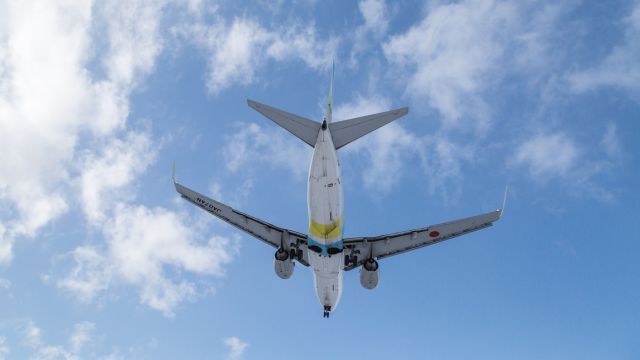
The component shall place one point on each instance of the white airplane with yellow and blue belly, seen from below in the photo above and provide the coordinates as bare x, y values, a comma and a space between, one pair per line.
323, 247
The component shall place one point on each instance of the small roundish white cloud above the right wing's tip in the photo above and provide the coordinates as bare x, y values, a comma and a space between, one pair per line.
548, 156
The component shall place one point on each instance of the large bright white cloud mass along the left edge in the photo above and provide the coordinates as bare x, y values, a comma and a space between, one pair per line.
67, 70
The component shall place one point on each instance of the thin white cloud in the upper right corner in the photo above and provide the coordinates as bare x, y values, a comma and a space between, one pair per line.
621, 67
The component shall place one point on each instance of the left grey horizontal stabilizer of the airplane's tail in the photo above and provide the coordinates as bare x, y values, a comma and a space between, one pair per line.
305, 129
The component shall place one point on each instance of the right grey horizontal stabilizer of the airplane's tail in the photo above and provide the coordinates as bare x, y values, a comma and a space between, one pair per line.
346, 131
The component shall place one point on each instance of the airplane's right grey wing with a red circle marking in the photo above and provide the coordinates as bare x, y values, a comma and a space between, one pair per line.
380, 247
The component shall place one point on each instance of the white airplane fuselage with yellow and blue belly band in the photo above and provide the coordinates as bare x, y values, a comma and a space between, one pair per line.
325, 221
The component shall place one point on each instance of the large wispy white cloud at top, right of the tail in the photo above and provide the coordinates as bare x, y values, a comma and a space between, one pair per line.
453, 55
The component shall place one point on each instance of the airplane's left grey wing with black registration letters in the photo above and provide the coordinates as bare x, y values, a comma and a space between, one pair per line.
262, 230
